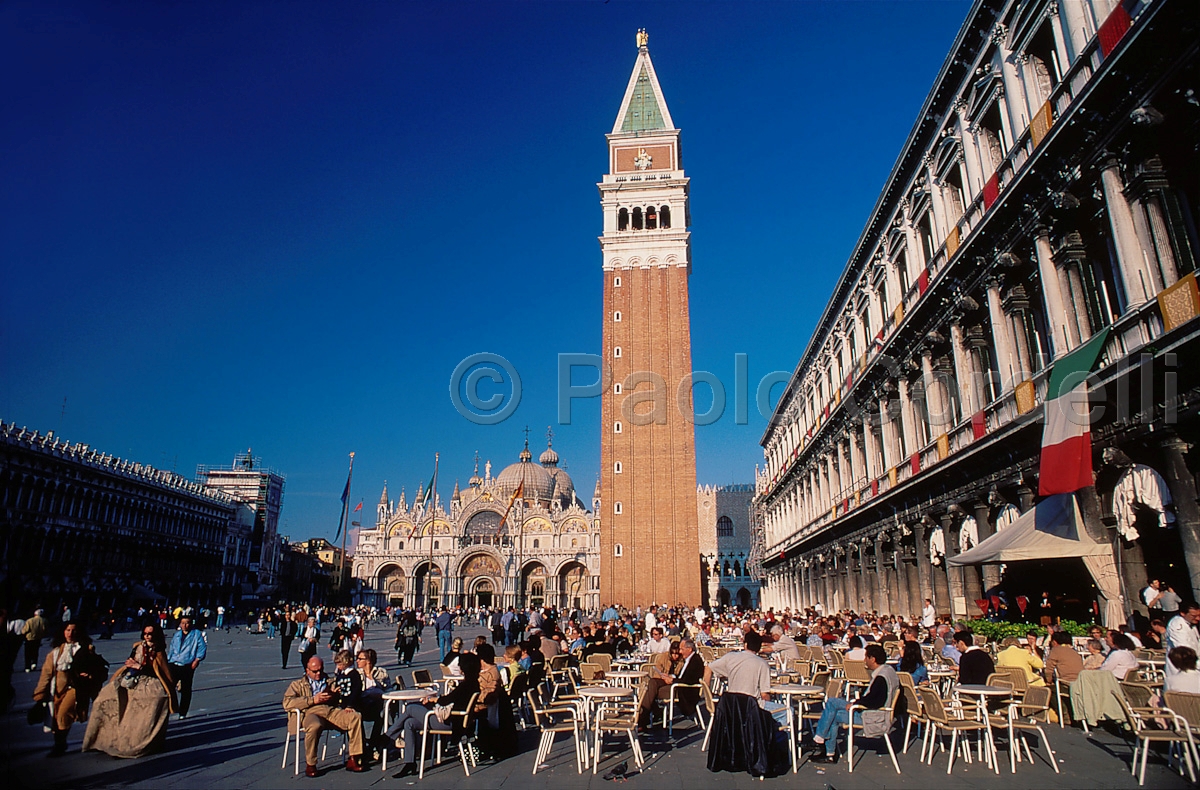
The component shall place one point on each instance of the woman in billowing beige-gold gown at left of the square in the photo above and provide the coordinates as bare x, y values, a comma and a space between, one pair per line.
130, 715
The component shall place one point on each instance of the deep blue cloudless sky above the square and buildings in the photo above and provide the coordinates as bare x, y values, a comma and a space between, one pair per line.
283, 225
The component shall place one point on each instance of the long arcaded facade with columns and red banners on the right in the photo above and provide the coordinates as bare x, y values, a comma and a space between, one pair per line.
1049, 191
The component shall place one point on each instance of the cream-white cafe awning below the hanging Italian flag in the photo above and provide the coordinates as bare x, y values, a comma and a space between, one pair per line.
1023, 541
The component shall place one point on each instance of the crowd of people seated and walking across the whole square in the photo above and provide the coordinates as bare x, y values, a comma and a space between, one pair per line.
746, 653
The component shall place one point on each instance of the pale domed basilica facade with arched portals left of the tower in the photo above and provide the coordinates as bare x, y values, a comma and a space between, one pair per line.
545, 553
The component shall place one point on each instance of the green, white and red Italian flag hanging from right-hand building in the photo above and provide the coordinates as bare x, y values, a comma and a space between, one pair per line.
1067, 440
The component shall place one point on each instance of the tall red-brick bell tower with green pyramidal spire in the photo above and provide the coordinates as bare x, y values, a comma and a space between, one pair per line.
650, 542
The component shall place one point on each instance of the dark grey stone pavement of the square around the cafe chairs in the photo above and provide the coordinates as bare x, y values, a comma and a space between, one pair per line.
233, 738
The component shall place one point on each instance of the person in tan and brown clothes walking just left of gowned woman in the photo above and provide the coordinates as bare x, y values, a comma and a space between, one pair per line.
69, 681
